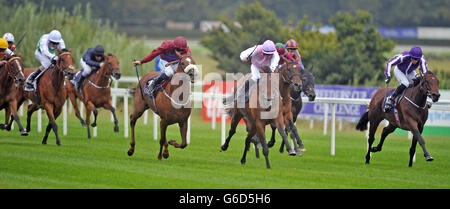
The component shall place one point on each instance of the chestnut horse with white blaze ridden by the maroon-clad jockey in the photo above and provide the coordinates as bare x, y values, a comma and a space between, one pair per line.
166, 104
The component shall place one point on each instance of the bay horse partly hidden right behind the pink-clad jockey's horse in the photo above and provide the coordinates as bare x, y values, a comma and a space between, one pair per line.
291, 78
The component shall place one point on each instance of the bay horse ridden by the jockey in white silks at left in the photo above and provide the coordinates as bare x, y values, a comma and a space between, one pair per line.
50, 93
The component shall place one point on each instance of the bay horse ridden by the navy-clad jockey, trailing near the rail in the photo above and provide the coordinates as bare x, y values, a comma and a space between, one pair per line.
96, 92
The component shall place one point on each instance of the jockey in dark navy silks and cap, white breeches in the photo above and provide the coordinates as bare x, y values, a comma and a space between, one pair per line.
92, 60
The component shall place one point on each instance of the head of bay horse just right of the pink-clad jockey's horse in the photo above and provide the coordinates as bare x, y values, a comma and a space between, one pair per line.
291, 73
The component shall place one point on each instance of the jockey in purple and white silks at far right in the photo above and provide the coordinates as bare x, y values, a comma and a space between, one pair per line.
404, 71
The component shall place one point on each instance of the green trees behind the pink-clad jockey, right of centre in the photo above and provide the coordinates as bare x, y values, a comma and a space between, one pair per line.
351, 55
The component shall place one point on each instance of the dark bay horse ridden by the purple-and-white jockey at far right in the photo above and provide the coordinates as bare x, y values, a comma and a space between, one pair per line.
412, 114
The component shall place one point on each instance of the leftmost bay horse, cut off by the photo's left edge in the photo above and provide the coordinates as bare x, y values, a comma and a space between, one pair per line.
12, 77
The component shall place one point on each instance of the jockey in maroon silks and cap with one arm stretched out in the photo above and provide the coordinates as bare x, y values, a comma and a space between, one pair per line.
169, 51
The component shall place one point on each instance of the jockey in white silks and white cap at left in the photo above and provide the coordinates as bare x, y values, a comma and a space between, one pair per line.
45, 53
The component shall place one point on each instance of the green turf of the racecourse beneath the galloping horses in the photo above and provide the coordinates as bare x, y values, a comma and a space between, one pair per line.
102, 162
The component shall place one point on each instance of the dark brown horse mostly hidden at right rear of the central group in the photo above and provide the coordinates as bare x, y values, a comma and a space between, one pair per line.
297, 103
